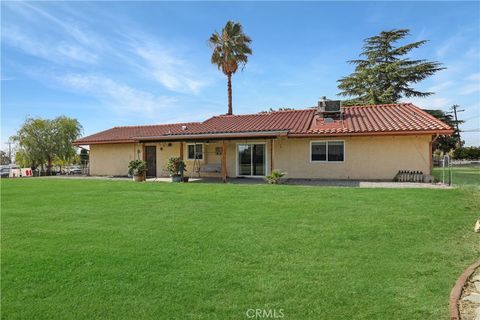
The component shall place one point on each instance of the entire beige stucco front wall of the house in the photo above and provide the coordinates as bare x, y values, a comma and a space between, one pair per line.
374, 157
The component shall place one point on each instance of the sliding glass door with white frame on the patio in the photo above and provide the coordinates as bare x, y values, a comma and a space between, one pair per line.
251, 159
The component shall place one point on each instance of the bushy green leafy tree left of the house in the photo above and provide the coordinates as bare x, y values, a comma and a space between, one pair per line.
41, 141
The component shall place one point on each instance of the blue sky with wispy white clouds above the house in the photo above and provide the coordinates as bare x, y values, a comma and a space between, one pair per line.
131, 63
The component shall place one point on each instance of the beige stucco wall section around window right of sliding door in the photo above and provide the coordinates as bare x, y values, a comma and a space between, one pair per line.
373, 157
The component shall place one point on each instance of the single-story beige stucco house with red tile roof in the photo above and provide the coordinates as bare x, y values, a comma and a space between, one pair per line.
369, 142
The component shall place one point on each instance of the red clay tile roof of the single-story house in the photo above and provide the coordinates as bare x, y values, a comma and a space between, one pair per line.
404, 118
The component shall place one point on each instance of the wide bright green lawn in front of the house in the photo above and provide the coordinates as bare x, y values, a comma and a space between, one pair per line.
97, 249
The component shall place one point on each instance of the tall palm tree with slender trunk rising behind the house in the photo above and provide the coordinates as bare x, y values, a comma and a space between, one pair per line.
230, 50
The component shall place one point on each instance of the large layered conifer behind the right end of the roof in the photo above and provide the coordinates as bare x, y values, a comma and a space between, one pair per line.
384, 74
